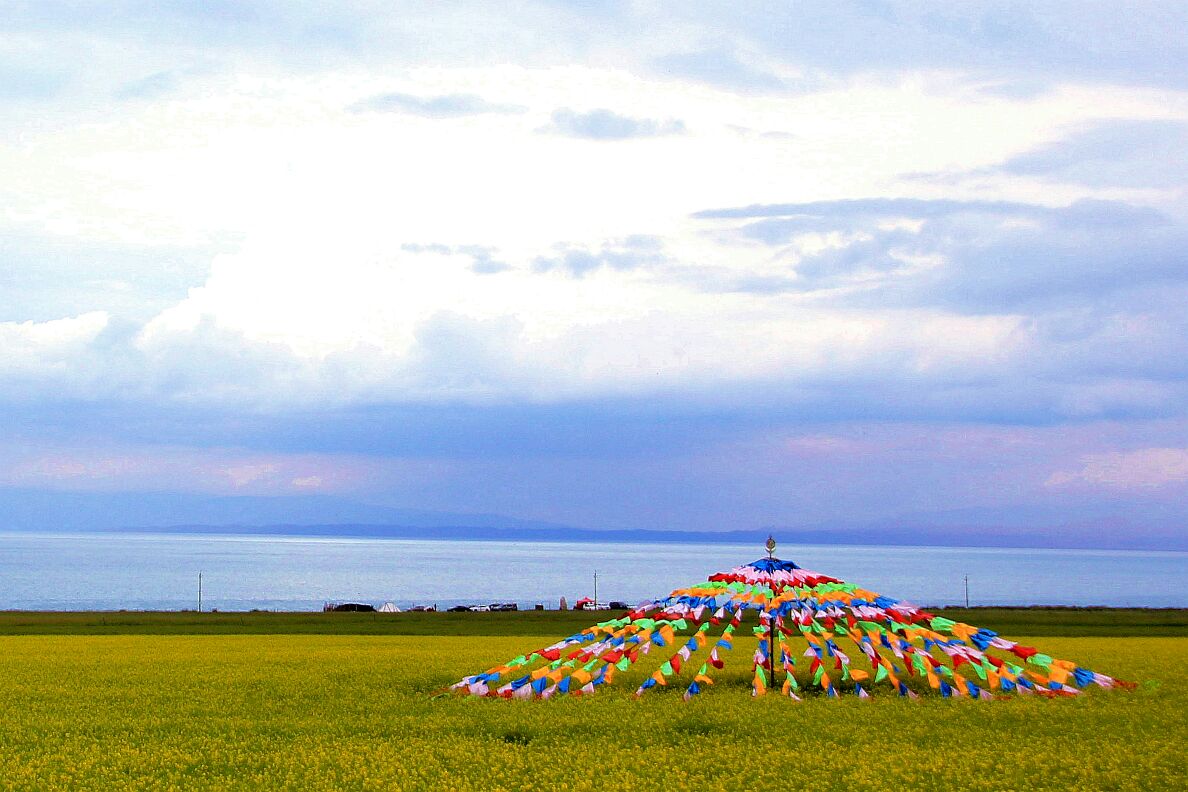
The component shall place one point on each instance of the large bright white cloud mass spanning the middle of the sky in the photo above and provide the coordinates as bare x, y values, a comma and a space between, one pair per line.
350, 277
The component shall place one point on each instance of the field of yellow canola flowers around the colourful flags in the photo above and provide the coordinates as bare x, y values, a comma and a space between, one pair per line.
342, 712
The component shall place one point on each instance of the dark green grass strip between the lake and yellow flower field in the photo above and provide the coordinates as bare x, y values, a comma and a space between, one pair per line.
1008, 622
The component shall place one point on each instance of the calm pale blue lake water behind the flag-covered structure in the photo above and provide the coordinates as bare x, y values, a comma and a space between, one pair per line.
161, 572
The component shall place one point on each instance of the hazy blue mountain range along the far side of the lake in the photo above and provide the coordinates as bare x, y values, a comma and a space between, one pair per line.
325, 516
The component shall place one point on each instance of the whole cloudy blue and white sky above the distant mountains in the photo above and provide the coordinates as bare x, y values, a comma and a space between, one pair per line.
698, 267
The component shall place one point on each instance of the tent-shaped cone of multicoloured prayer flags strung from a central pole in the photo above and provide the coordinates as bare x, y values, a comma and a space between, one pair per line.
839, 625
